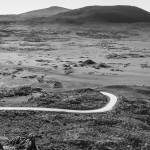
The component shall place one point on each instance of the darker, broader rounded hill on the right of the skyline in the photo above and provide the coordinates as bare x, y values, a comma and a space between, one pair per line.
97, 14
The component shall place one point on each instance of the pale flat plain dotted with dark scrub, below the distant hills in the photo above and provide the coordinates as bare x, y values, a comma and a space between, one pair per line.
105, 54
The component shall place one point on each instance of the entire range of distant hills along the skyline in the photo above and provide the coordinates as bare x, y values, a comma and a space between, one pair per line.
85, 15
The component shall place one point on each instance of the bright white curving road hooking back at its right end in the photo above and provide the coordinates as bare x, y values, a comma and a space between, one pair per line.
108, 107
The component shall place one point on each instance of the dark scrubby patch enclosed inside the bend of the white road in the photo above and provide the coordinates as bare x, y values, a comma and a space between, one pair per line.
83, 99
